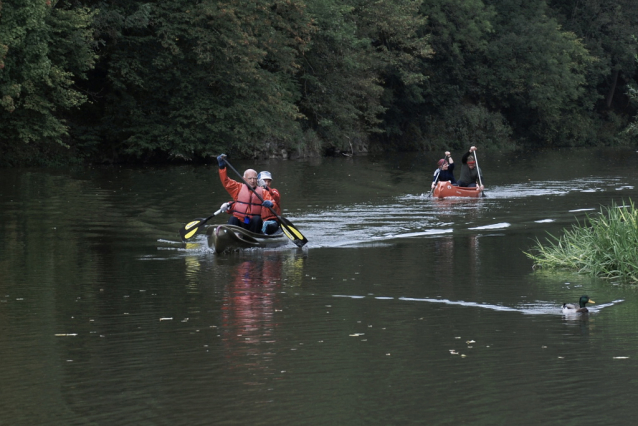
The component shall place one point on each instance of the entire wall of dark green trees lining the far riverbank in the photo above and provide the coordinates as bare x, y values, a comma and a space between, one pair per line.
178, 80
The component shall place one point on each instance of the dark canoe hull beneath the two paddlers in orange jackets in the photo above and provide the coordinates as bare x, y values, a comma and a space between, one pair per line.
230, 237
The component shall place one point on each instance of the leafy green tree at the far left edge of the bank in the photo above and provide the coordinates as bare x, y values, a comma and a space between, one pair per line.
45, 48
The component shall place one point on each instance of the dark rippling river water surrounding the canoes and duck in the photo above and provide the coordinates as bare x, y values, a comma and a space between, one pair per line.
401, 309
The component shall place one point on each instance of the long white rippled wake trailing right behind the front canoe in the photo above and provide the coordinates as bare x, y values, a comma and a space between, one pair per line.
415, 216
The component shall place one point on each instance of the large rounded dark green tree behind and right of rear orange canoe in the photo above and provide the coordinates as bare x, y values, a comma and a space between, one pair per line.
501, 65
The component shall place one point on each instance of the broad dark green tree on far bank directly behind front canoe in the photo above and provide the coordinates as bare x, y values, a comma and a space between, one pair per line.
191, 80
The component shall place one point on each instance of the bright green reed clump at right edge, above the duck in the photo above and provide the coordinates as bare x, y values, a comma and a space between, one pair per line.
605, 245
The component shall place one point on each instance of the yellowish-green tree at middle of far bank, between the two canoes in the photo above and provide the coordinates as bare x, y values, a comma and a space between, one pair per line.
357, 60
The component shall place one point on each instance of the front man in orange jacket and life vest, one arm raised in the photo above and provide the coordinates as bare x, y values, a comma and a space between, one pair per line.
246, 208
